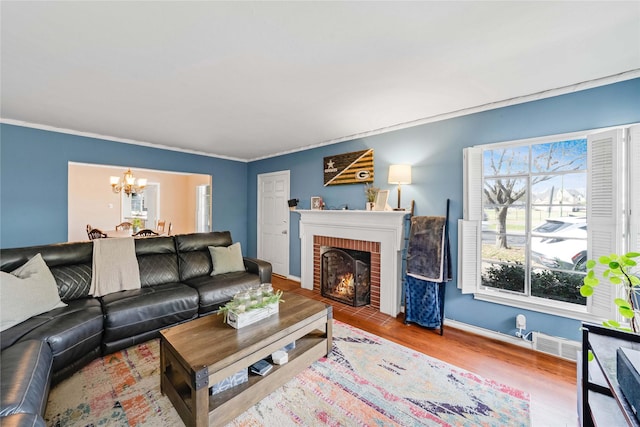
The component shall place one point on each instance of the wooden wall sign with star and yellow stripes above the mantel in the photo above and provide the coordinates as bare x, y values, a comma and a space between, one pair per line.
349, 168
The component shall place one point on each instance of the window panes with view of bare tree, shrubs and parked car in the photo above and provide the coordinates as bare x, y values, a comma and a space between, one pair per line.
534, 230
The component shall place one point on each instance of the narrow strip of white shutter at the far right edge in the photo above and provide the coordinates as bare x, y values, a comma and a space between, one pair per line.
634, 189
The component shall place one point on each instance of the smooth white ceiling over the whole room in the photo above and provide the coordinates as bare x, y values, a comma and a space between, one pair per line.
248, 80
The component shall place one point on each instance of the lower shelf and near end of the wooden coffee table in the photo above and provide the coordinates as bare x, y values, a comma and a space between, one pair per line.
197, 408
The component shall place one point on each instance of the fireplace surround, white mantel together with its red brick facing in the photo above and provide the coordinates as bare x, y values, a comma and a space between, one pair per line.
380, 233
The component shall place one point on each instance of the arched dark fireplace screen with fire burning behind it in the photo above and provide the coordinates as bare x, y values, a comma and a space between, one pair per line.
346, 276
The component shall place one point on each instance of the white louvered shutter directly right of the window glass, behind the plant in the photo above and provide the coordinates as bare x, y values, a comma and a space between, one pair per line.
604, 211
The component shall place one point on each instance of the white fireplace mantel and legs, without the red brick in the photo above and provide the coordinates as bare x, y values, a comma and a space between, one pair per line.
386, 227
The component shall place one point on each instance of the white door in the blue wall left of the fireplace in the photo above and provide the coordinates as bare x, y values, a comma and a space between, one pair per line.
273, 220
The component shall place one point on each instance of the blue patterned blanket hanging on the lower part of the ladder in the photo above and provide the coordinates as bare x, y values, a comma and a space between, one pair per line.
422, 301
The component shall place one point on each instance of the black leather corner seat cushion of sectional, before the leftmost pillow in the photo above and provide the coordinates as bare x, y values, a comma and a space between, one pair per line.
72, 331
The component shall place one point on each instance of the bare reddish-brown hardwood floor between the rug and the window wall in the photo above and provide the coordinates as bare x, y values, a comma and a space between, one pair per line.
550, 381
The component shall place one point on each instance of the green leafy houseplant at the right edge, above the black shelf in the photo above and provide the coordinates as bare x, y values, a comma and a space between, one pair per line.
619, 271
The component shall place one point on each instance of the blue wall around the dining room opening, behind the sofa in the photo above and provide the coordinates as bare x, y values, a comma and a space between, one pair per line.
34, 174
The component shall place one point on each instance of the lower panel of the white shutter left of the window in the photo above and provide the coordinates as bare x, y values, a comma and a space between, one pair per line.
468, 255
